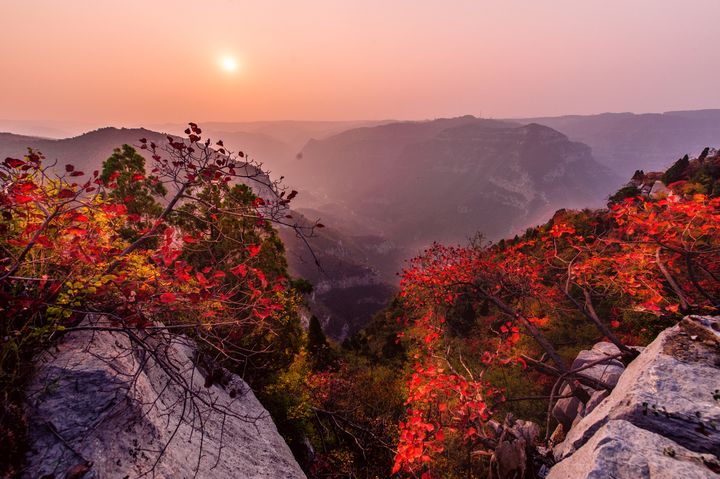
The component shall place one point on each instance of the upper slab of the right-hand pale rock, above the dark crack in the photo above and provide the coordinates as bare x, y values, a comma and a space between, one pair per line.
671, 390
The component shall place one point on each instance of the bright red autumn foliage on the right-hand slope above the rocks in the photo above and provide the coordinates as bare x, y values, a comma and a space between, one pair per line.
659, 258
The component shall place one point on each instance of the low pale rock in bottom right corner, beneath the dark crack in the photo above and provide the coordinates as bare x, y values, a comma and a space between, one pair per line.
620, 450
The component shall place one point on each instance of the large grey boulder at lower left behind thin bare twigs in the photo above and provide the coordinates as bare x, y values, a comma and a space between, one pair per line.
111, 405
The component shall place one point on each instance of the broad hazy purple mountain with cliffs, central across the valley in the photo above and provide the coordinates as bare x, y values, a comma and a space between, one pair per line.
444, 180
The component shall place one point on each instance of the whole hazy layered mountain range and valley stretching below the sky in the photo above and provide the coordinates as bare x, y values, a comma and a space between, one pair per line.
385, 190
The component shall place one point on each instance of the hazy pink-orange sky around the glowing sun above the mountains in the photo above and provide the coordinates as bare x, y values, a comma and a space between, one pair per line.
141, 61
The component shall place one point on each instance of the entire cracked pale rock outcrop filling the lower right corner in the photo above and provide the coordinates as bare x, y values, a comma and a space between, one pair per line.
662, 419
